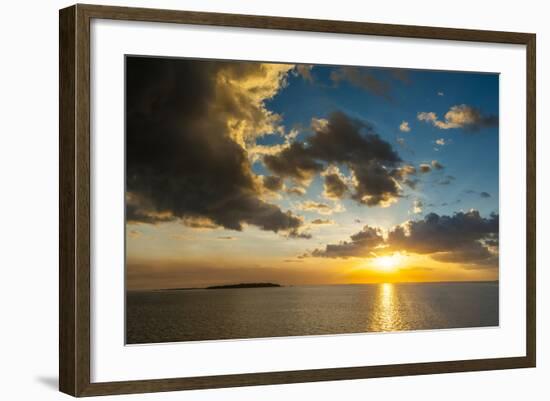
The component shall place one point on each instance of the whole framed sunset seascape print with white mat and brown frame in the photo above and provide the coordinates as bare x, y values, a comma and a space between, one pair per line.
251, 200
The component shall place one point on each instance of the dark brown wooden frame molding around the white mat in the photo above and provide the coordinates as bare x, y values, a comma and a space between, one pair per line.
74, 204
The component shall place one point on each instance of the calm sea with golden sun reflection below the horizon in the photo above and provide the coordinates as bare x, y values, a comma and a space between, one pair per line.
189, 315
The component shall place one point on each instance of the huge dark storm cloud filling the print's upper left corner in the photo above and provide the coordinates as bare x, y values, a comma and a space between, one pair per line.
181, 160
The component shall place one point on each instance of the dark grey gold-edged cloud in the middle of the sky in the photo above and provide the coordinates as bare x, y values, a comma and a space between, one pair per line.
341, 140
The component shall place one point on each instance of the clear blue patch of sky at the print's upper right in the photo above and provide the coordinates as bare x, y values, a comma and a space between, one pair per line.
470, 156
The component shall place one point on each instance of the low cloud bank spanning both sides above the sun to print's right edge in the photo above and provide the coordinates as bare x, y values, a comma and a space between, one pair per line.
465, 237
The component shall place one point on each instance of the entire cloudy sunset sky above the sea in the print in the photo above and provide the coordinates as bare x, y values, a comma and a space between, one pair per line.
308, 174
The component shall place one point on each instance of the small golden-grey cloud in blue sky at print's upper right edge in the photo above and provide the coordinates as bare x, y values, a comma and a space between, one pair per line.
460, 116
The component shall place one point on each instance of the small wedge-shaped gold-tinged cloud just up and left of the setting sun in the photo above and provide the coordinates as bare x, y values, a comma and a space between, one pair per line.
360, 244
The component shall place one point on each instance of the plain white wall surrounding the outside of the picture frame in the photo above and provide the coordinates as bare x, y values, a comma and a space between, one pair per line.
29, 184
